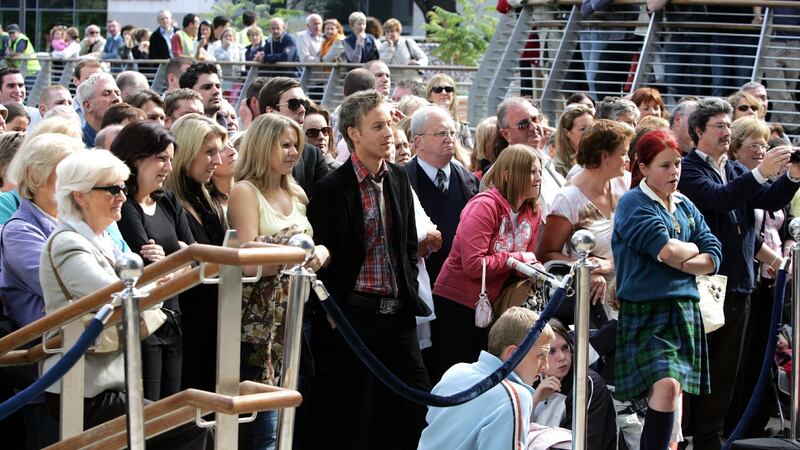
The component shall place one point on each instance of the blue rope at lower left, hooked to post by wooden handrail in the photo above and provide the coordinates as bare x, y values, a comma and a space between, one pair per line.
93, 329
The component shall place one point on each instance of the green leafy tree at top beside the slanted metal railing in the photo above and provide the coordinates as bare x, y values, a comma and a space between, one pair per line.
462, 37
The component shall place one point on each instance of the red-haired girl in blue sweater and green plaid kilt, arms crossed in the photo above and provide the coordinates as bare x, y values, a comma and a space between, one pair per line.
660, 242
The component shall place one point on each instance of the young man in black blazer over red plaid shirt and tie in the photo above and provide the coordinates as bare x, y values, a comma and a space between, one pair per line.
364, 213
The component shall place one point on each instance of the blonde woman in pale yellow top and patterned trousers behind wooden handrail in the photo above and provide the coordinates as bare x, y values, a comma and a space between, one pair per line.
267, 205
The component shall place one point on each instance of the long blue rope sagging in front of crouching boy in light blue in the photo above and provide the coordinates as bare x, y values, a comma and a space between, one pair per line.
426, 398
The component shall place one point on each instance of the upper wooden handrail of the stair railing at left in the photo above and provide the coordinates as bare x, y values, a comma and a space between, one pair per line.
266, 255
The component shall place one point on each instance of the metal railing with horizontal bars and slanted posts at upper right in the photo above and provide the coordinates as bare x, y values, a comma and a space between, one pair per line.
681, 53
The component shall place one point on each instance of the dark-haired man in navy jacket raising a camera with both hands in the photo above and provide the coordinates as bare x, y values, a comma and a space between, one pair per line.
727, 193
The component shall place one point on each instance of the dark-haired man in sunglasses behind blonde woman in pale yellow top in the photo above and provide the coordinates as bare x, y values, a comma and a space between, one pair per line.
285, 96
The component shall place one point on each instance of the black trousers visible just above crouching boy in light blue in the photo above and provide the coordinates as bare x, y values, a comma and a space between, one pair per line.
455, 337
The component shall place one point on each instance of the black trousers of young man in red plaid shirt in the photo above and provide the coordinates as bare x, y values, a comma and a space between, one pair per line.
362, 413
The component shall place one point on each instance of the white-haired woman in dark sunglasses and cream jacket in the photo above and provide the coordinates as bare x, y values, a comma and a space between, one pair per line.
79, 259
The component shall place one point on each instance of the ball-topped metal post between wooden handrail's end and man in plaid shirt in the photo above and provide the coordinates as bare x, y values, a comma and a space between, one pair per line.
300, 280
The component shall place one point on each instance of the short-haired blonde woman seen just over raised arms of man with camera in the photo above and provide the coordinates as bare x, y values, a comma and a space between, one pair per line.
749, 137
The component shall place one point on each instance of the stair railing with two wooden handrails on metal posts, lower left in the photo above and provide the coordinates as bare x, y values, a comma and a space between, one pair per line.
231, 398
